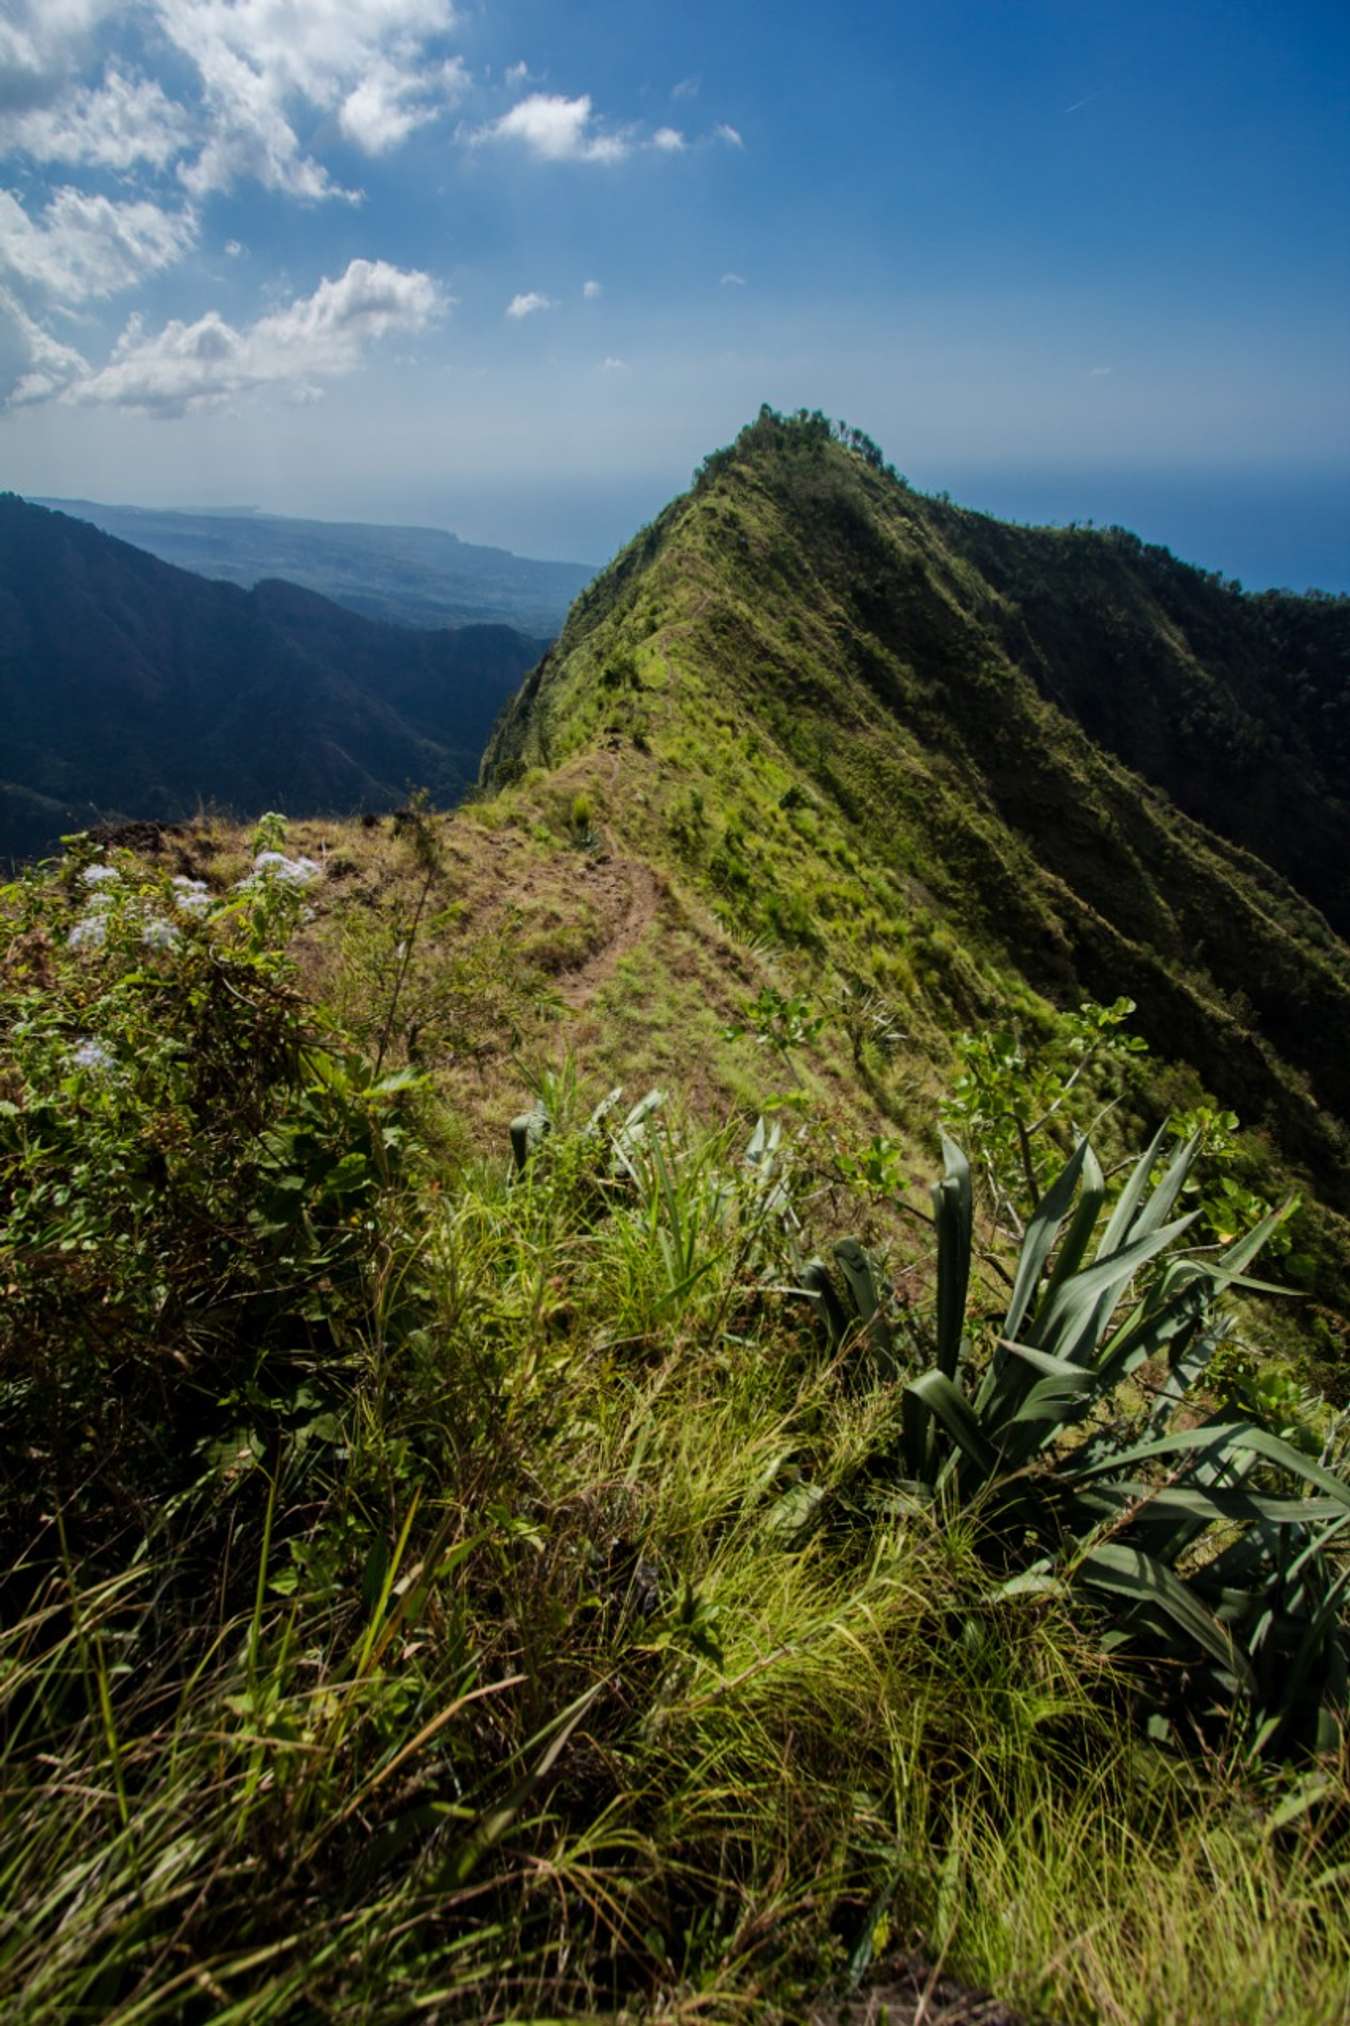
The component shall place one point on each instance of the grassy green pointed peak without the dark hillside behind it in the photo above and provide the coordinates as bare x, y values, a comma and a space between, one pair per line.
796, 696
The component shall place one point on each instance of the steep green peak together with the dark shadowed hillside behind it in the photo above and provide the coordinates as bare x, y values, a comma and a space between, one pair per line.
877, 741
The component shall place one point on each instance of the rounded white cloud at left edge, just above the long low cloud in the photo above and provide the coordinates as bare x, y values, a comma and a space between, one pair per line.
90, 246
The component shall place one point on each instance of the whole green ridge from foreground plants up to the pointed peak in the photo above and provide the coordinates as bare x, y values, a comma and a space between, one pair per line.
682, 1569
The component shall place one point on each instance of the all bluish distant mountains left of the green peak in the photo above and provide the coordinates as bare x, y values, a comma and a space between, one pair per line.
137, 690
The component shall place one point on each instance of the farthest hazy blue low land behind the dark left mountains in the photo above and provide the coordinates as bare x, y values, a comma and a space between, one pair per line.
408, 576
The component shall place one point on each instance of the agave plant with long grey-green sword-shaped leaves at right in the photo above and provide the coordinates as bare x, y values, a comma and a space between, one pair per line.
1207, 1541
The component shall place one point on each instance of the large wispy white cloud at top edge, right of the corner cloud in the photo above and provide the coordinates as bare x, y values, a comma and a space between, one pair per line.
366, 62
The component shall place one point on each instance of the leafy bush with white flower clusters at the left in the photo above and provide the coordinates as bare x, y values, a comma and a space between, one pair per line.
196, 1174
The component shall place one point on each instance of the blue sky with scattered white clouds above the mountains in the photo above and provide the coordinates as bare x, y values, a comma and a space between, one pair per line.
514, 268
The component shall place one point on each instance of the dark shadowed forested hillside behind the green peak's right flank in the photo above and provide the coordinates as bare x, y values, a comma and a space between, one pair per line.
1235, 704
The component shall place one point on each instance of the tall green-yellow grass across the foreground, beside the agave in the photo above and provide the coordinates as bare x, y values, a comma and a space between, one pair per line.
514, 1689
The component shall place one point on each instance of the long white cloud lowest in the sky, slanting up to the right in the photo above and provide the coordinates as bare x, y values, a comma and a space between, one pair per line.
206, 364
